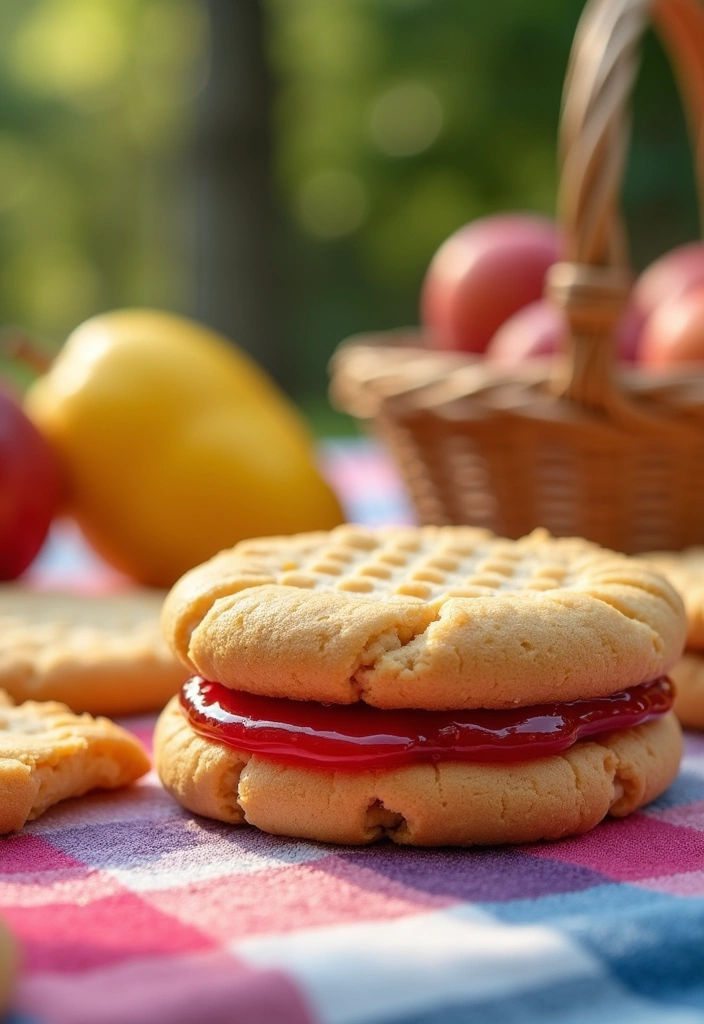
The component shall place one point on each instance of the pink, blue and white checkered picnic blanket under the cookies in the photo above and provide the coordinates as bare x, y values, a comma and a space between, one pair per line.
131, 911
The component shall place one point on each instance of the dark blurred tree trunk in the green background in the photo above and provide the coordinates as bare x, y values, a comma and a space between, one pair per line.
239, 290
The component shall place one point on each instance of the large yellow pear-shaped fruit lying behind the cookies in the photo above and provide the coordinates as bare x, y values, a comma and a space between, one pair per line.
175, 444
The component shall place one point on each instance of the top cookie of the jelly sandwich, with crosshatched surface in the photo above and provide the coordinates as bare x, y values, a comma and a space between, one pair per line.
433, 618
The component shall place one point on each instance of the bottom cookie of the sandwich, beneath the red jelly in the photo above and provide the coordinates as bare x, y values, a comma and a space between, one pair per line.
423, 805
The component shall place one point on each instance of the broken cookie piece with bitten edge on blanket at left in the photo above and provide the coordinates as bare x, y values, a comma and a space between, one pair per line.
48, 754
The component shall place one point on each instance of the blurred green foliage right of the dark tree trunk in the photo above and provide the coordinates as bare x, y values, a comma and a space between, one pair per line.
351, 71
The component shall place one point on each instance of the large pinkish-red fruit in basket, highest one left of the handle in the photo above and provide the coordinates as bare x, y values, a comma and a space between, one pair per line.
485, 274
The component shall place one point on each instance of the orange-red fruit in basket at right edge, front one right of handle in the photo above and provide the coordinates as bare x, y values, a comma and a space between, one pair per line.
675, 332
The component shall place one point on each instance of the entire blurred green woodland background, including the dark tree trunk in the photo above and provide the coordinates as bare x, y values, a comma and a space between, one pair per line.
286, 170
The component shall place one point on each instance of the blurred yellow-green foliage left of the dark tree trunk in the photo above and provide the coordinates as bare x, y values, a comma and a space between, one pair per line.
97, 100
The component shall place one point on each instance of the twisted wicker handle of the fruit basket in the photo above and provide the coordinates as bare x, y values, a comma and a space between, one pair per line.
593, 282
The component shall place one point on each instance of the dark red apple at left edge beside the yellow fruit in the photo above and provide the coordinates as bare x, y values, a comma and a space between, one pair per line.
29, 489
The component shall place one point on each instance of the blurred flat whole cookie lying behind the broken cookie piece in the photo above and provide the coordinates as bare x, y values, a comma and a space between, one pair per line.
100, 654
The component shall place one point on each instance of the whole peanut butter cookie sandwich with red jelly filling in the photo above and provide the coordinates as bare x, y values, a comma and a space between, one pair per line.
436, 686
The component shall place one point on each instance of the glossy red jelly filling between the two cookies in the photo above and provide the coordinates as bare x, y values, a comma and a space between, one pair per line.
358, 738
